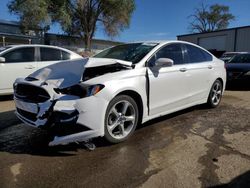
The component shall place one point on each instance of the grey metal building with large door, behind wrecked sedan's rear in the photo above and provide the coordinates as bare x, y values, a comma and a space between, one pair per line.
227, 40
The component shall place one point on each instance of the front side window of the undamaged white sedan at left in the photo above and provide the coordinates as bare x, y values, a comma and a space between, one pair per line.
20, 55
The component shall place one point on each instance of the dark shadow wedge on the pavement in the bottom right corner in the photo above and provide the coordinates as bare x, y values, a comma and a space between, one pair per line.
242, 180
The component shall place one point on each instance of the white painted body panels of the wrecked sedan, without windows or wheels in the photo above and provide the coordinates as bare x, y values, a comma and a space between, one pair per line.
171, 90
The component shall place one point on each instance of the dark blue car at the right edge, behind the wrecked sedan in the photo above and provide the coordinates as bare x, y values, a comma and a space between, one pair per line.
239, 67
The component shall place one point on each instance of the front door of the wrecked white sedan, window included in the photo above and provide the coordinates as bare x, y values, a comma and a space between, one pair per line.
168, 89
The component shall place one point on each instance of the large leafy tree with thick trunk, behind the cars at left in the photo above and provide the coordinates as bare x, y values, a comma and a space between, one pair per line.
78, 17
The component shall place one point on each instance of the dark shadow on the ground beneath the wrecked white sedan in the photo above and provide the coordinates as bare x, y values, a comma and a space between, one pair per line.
21, 139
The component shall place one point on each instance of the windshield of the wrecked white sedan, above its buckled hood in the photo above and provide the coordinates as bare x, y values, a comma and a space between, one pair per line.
133, 52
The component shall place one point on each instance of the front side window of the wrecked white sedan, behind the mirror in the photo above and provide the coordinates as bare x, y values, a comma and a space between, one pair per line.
171, 51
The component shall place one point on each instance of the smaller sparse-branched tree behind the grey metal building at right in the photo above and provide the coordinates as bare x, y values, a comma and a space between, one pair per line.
206, 19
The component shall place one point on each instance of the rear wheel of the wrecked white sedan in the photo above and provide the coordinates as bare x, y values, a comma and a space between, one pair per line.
215, 94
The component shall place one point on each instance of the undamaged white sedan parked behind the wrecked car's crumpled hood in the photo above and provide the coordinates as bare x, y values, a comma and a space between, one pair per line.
21, 60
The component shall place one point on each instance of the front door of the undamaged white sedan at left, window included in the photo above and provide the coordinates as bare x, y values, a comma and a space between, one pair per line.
19, 62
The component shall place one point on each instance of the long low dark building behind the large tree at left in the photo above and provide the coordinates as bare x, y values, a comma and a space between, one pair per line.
12, 33
